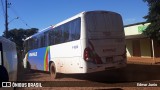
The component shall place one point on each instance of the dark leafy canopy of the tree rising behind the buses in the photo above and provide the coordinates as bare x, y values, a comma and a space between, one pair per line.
19, 35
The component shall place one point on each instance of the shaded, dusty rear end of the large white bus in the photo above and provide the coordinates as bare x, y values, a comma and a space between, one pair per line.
105, 41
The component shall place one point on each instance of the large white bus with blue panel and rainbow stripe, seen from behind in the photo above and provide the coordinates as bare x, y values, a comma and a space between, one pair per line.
88, 42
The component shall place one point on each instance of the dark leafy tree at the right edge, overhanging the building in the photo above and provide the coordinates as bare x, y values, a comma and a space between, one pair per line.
153, 30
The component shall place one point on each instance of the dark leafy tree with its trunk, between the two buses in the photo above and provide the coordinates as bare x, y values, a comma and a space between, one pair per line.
18, 36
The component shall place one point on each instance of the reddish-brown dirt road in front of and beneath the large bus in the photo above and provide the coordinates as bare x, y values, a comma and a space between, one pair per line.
120, 79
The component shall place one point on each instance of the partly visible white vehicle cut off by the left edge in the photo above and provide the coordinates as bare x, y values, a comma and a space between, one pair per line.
8, 61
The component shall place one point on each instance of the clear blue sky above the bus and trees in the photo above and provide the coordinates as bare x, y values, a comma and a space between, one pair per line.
43, 13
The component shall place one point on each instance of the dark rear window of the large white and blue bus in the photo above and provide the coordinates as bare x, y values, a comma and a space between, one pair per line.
103, 22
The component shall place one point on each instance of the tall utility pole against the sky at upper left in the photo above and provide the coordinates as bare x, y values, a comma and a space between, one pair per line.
6, 18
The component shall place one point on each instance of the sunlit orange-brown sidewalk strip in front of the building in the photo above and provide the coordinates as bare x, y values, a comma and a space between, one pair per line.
142, 60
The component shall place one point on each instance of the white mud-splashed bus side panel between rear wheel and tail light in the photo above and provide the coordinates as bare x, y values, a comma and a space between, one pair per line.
67, 56
